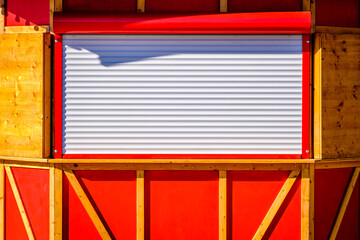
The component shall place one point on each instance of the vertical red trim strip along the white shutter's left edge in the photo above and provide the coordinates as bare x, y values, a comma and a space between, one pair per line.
58, 96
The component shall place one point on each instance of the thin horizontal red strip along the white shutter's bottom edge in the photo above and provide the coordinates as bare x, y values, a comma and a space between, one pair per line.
182, 156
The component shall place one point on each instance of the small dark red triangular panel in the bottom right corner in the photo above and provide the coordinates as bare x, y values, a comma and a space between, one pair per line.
349, 228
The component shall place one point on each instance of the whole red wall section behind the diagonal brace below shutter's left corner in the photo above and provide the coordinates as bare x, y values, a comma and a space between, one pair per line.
113, 194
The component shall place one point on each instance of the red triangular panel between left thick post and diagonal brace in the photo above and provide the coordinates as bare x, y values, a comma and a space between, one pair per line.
77, 224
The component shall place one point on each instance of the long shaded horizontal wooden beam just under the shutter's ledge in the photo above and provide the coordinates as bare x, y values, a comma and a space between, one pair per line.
182, 166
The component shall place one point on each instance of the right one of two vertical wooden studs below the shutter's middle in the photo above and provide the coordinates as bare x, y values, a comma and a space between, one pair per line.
222, 205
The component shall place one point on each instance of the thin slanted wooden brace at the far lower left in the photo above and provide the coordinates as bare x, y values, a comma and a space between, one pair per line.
19, 203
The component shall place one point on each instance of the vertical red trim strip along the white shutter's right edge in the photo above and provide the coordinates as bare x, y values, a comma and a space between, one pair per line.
306, 98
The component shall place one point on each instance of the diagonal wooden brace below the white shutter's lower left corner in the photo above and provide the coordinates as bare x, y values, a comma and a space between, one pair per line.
87, 204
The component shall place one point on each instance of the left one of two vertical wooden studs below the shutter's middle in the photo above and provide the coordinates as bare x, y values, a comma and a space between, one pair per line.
140, 213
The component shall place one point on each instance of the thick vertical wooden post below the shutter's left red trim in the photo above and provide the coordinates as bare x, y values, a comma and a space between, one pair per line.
55, 202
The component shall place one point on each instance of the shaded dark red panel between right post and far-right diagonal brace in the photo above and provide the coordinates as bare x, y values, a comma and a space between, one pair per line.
330, 186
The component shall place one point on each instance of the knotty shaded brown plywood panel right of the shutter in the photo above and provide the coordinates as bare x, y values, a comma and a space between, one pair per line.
340, 94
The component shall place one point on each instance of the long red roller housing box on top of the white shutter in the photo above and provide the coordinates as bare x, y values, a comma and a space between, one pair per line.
230, 23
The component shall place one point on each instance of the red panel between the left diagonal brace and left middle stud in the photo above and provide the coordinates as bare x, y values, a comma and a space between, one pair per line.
114, 195
